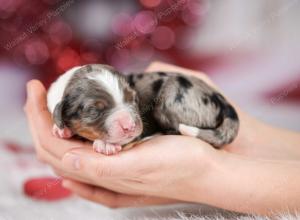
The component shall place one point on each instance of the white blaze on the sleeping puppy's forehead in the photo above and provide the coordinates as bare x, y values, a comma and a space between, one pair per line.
110, 82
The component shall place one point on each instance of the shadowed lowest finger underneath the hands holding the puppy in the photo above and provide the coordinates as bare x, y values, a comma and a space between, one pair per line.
110, 198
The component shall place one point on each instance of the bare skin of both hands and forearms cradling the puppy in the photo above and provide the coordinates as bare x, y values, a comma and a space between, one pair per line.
259, 171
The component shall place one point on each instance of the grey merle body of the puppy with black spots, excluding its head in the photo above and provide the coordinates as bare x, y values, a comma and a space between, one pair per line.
173, 103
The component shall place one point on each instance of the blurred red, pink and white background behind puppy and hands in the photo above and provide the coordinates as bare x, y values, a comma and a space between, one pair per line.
250, 49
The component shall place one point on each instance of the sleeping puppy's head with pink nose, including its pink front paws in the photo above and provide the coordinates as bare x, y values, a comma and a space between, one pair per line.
95, 102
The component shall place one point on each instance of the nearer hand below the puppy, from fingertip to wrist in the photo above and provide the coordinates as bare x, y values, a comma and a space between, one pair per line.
164, 166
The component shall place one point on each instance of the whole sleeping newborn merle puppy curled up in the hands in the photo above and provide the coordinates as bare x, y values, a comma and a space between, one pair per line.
98, 103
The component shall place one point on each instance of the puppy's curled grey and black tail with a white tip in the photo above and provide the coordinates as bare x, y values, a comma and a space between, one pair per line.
222, 135
